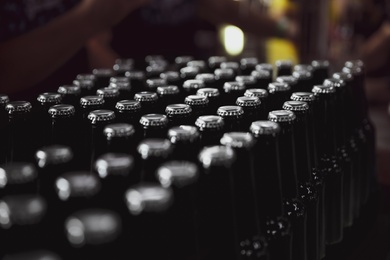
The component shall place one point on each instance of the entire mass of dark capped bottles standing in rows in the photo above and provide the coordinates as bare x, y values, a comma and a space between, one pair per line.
188, 159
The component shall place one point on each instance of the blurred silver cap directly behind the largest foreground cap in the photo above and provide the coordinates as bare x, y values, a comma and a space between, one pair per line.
77, 185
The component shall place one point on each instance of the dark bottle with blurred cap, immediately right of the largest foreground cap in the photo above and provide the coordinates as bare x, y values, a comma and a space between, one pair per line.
148, 228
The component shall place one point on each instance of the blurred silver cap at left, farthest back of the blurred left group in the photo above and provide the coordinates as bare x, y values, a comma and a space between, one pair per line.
53, 155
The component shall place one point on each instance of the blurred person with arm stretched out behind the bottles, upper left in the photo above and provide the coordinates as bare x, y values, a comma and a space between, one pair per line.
46, 43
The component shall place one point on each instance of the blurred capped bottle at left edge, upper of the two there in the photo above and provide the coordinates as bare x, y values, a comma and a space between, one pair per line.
18, 178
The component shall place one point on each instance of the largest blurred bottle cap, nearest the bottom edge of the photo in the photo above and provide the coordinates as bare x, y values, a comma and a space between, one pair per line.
92, 227
